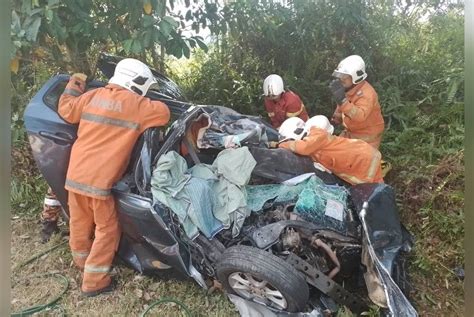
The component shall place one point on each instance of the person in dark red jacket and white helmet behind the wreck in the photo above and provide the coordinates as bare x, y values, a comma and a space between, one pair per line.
280, 104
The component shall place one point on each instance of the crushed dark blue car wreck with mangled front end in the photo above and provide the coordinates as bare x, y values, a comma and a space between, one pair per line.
279, 259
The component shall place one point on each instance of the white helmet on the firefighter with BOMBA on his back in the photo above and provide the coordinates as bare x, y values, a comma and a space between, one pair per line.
133, 75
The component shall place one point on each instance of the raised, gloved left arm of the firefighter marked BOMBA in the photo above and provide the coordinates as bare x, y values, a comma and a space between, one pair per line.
69, 108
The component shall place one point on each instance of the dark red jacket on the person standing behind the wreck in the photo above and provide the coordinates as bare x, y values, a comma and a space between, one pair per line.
289, 105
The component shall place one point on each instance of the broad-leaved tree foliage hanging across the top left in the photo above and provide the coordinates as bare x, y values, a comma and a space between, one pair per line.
72, 32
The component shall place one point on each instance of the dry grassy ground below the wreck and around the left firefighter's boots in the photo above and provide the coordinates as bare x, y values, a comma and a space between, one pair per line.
134, 295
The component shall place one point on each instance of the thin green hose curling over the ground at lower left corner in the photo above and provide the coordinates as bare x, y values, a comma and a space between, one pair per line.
37, 308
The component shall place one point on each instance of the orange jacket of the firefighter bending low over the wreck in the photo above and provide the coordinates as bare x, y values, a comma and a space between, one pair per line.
353, 160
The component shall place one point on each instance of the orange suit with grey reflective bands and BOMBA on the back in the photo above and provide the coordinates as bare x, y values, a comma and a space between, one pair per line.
110, 121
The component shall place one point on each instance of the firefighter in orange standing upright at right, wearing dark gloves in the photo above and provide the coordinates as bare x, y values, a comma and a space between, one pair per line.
358, 108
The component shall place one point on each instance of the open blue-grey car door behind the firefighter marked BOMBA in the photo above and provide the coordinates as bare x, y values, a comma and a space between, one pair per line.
51, 137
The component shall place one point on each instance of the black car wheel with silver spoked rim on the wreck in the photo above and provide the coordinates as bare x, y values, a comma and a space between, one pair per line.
262, 277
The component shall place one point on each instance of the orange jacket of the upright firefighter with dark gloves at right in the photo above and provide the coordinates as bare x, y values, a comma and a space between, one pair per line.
361, 115
